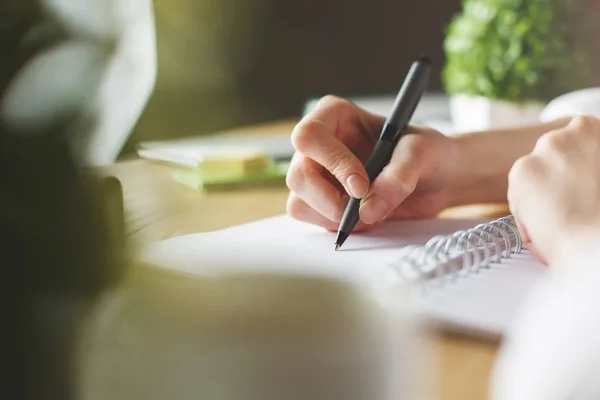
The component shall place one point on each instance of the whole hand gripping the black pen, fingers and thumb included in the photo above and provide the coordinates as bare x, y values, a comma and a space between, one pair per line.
334, 141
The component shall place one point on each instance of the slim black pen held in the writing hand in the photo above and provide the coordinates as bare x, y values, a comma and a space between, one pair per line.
394, 128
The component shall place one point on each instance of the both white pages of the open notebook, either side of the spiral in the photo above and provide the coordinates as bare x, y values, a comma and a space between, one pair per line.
482, 303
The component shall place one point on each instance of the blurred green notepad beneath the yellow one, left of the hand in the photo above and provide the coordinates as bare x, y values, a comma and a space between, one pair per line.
272, 175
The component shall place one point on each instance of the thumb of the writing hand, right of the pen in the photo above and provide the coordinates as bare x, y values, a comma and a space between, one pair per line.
395, 183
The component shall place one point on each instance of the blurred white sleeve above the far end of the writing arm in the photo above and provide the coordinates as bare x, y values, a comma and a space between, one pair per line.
580, 102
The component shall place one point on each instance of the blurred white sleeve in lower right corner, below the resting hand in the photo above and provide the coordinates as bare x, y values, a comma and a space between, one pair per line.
553, 352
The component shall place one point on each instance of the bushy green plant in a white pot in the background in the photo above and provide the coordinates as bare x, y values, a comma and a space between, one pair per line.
506, 59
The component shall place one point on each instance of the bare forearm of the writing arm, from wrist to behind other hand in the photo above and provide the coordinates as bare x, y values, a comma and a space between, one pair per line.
485, 159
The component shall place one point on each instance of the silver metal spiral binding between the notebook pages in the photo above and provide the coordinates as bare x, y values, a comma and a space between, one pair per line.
462, 253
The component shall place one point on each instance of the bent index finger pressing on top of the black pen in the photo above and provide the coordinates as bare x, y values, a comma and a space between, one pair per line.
315, 137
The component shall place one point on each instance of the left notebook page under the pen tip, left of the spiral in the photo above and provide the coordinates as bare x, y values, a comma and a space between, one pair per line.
283, 244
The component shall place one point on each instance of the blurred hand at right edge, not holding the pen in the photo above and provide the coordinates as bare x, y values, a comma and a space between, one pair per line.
554, 193
